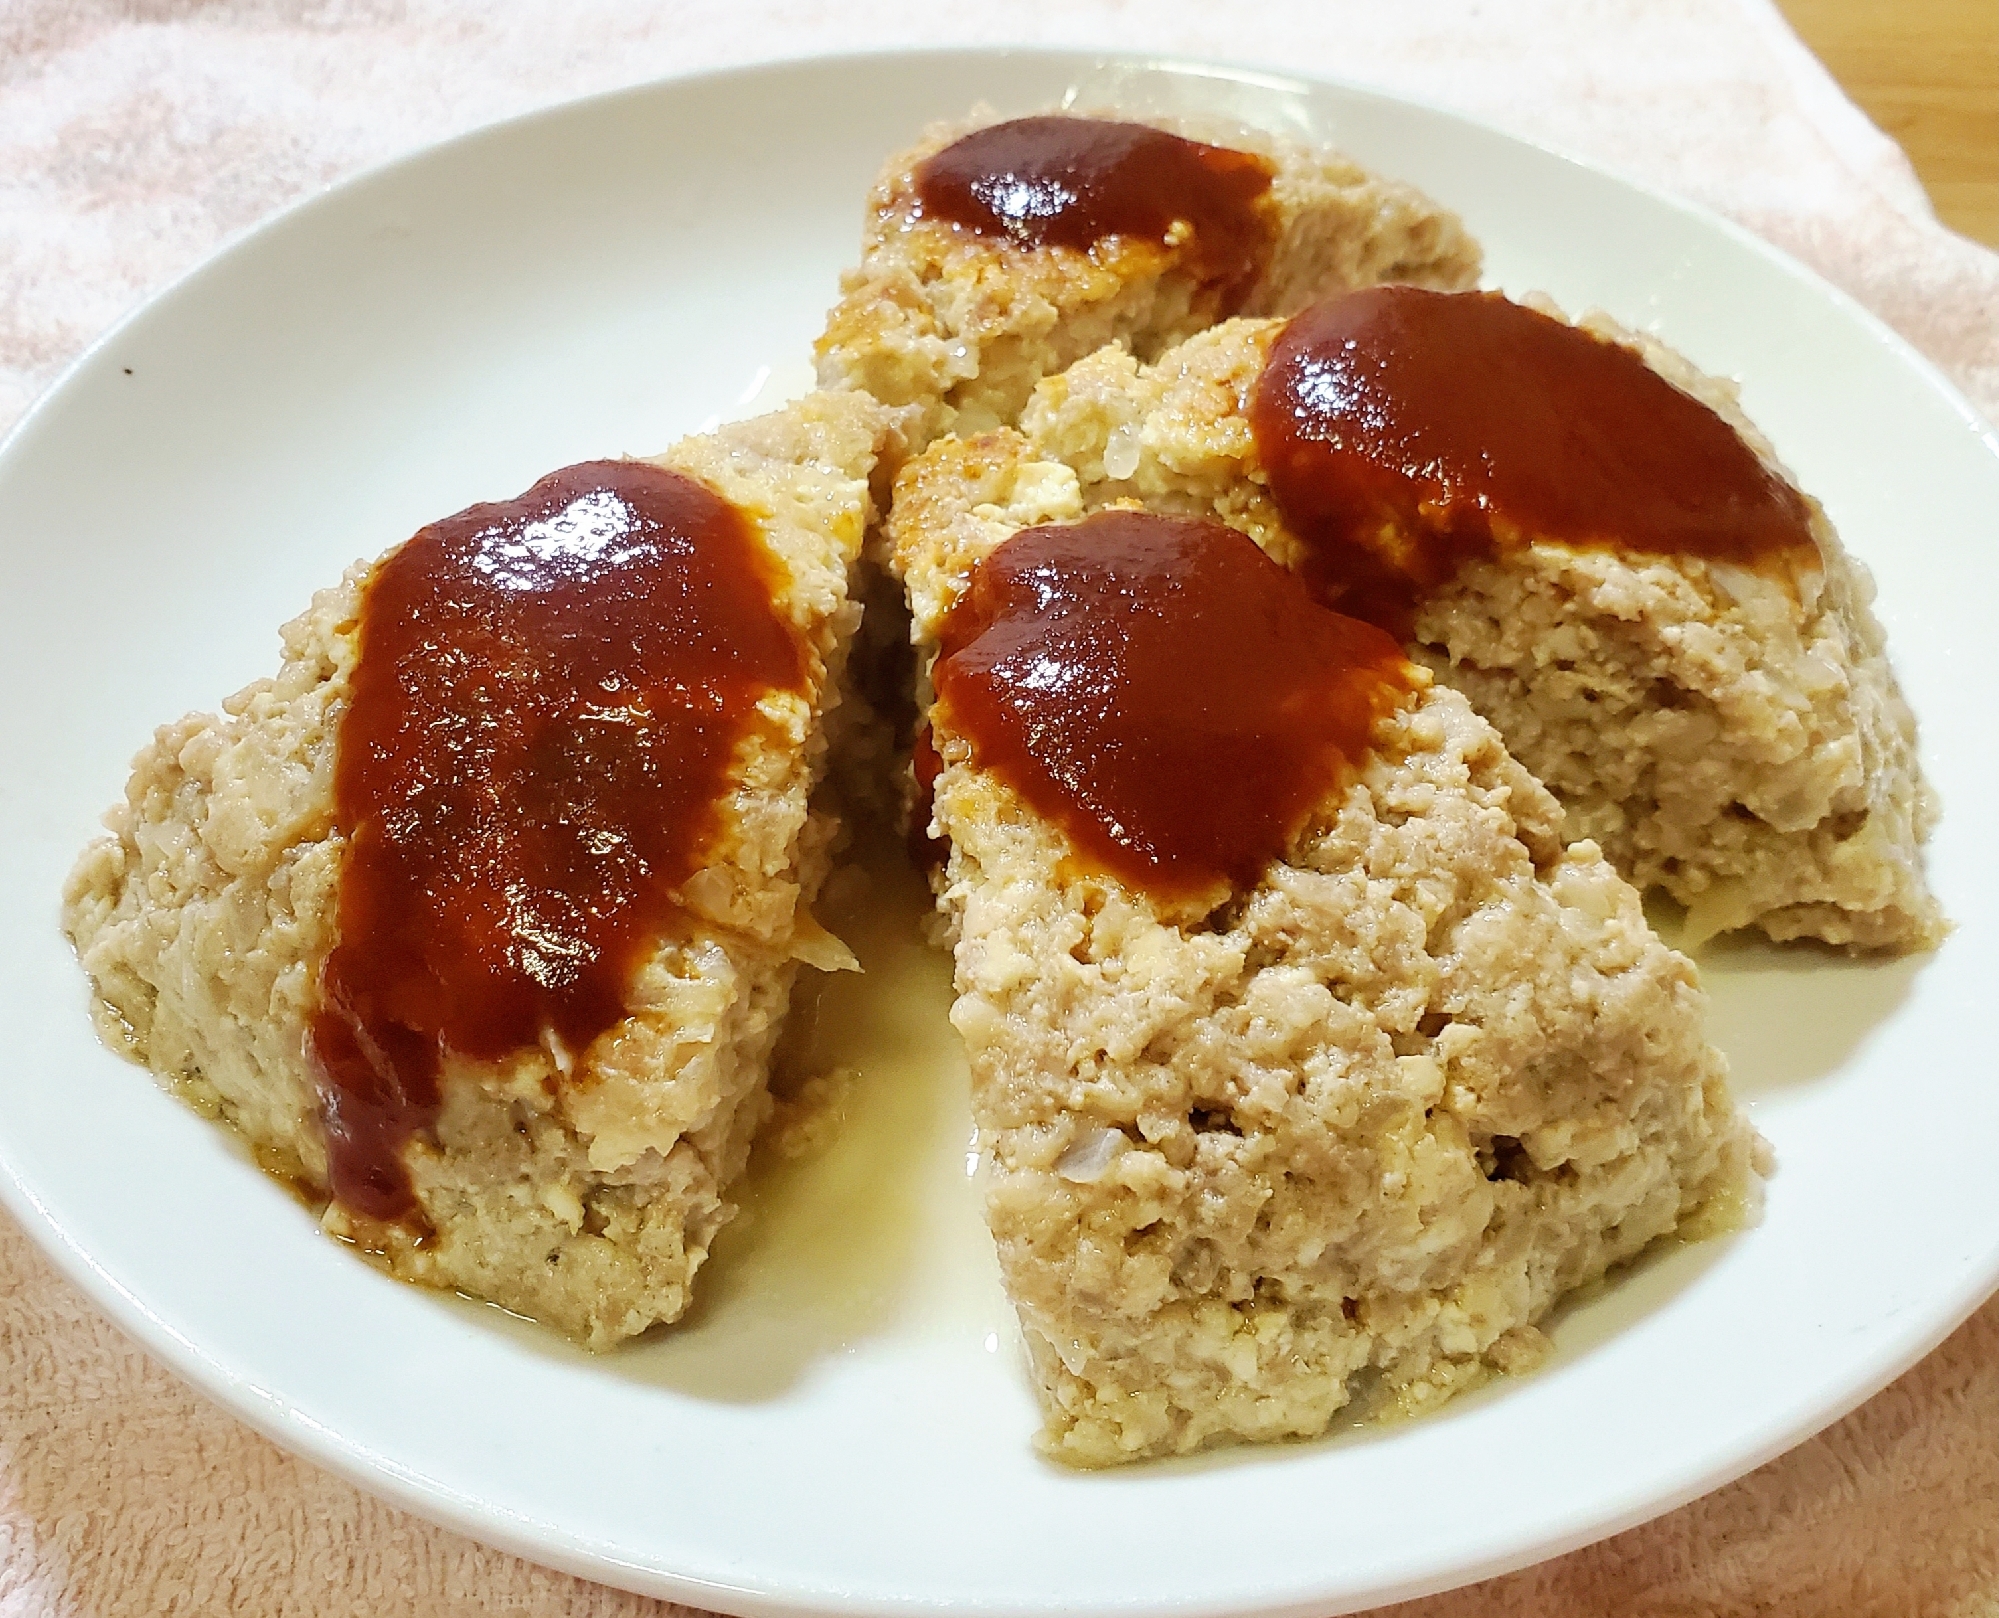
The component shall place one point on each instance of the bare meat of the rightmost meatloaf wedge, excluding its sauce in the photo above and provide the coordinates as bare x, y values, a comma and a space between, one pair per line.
1726, 739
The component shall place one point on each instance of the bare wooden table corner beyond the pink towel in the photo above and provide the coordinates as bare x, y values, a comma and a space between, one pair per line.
1928, 73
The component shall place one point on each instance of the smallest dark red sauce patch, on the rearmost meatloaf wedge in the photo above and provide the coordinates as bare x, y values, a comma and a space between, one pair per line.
1072, 183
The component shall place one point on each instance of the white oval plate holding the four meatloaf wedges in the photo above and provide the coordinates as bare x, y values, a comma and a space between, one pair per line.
845, 1425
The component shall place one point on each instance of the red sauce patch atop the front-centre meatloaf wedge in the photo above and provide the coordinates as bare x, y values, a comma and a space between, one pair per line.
1164, 693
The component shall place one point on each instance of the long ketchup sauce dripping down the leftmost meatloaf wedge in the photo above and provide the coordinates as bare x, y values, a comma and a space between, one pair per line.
547, 709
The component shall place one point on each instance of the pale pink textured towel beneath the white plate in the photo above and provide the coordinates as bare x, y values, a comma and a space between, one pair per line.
139, 137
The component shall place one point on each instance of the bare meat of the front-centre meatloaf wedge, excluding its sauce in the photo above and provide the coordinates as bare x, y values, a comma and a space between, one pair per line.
1362, 1125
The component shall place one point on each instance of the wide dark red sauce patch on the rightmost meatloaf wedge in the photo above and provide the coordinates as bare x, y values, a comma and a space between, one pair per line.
1408, 433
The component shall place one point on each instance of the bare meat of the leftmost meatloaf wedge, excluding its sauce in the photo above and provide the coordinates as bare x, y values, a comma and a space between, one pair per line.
583, 1195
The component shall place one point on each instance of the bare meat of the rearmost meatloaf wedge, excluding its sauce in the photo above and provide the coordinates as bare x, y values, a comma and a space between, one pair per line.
963, 327
